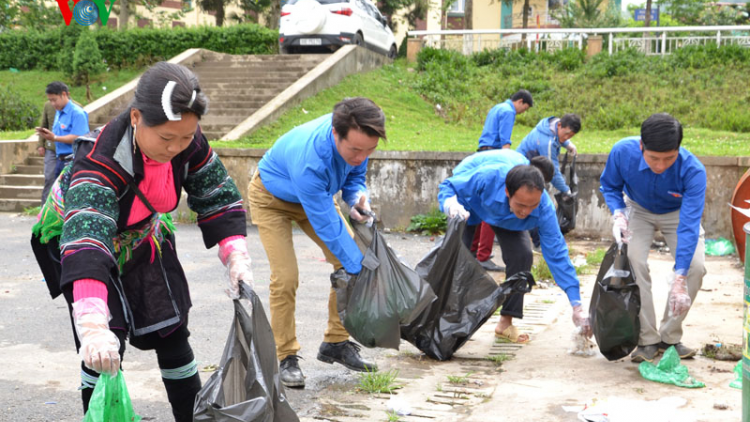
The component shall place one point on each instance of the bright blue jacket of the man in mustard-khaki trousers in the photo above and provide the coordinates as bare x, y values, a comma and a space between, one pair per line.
304, 167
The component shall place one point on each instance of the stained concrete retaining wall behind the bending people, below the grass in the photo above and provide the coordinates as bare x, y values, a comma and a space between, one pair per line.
405, 183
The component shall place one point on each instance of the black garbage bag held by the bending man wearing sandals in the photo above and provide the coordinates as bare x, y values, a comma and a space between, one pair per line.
466, 296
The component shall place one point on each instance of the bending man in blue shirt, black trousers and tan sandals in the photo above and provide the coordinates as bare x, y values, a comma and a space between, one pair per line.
511, 199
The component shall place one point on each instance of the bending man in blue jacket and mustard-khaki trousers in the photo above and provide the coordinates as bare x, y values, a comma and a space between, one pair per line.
296, 181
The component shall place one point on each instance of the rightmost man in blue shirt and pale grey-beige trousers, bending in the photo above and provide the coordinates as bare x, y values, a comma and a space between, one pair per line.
651, 183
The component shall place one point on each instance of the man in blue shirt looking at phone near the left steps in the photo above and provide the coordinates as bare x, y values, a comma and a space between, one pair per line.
71, 121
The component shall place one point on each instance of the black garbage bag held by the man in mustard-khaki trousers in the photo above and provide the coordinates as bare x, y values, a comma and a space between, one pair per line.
385, 294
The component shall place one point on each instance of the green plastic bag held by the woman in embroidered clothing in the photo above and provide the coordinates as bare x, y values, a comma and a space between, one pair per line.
110, 401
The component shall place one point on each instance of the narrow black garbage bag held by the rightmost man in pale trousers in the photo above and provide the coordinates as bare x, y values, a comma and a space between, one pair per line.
615, 305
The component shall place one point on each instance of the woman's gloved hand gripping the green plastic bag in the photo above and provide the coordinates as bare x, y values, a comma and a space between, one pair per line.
100, 347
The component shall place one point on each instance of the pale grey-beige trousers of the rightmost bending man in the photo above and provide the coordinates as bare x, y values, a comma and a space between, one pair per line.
643, 224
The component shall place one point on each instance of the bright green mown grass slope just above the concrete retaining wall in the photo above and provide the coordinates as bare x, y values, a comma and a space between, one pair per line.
416, 125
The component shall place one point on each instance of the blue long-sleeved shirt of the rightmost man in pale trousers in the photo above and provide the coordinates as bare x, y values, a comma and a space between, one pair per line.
681, 187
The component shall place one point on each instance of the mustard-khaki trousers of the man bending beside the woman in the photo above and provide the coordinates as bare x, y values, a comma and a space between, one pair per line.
274, 220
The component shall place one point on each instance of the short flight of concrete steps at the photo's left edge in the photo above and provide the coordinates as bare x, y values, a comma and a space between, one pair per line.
23, 188
